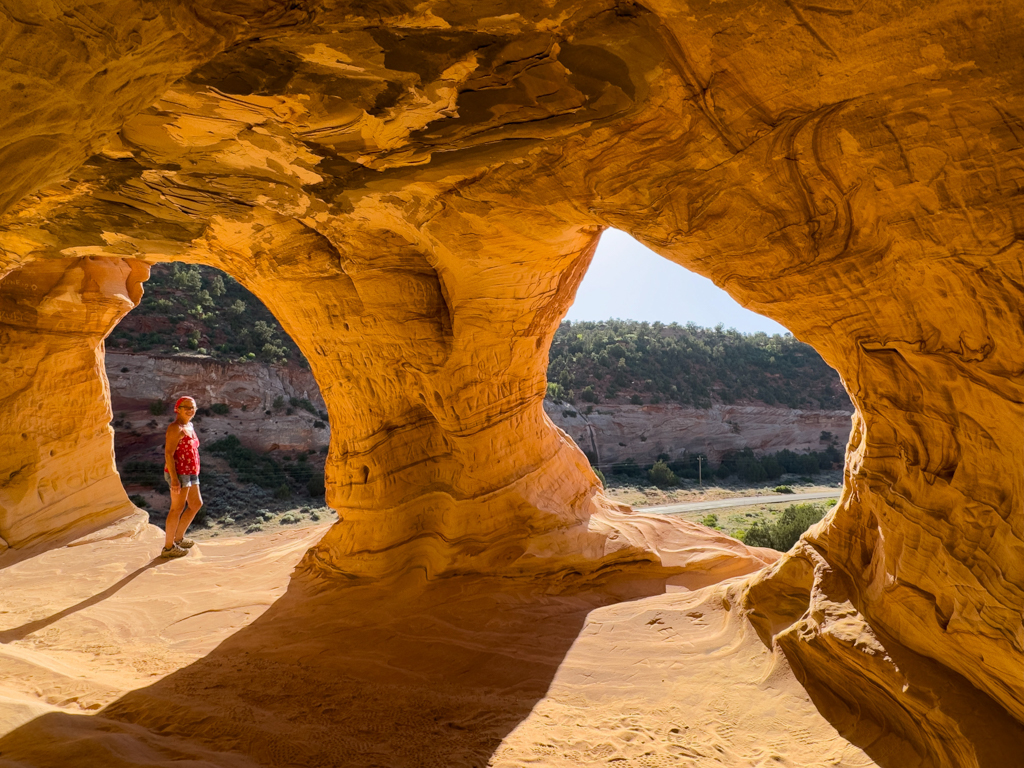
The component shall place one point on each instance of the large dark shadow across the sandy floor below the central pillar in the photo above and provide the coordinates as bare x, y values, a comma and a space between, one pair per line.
392, 675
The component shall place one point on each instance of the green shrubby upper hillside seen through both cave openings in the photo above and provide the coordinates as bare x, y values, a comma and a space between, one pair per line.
199, 310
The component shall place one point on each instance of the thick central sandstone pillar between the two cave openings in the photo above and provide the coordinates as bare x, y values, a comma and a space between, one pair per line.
432, 357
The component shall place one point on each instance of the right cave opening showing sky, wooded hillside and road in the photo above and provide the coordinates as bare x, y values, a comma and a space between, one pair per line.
670, 406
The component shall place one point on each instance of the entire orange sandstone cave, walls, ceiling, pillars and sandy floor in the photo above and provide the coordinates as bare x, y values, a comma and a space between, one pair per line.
416, 192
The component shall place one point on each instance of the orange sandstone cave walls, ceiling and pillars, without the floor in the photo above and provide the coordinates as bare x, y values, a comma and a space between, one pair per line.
416, 194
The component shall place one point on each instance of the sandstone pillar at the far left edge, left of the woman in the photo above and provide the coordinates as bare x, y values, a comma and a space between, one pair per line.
57, 447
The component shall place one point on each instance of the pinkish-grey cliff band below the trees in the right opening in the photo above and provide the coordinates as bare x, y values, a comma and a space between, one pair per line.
615, 434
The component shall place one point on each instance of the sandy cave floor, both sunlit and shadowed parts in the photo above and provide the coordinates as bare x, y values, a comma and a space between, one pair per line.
111, 658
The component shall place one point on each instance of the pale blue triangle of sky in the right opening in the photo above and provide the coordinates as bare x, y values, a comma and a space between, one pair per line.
628, 281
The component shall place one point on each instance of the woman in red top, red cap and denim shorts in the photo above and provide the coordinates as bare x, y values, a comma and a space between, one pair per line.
182, 474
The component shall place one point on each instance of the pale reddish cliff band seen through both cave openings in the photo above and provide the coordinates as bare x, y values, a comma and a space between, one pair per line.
610, 434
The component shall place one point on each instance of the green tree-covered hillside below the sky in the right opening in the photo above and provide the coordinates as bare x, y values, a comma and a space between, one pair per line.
642, 363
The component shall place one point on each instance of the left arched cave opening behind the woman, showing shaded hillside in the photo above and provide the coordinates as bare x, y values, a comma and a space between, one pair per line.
263, 423
